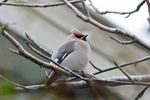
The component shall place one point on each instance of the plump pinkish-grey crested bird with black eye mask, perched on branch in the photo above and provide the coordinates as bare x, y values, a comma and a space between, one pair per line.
74, 54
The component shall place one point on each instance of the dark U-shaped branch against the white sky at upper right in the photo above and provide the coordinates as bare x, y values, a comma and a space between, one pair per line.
121, 13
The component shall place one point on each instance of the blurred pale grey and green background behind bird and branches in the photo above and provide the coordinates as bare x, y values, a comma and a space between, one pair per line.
50, 26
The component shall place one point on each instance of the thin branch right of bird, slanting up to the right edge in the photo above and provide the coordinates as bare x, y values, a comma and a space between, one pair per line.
125, 64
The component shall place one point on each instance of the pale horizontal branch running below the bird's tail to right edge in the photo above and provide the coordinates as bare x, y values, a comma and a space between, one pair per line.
142, 80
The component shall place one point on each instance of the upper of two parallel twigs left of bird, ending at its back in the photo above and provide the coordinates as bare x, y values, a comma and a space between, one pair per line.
41, 48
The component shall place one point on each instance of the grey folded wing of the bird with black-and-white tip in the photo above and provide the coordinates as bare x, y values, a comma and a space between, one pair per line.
63, 51
